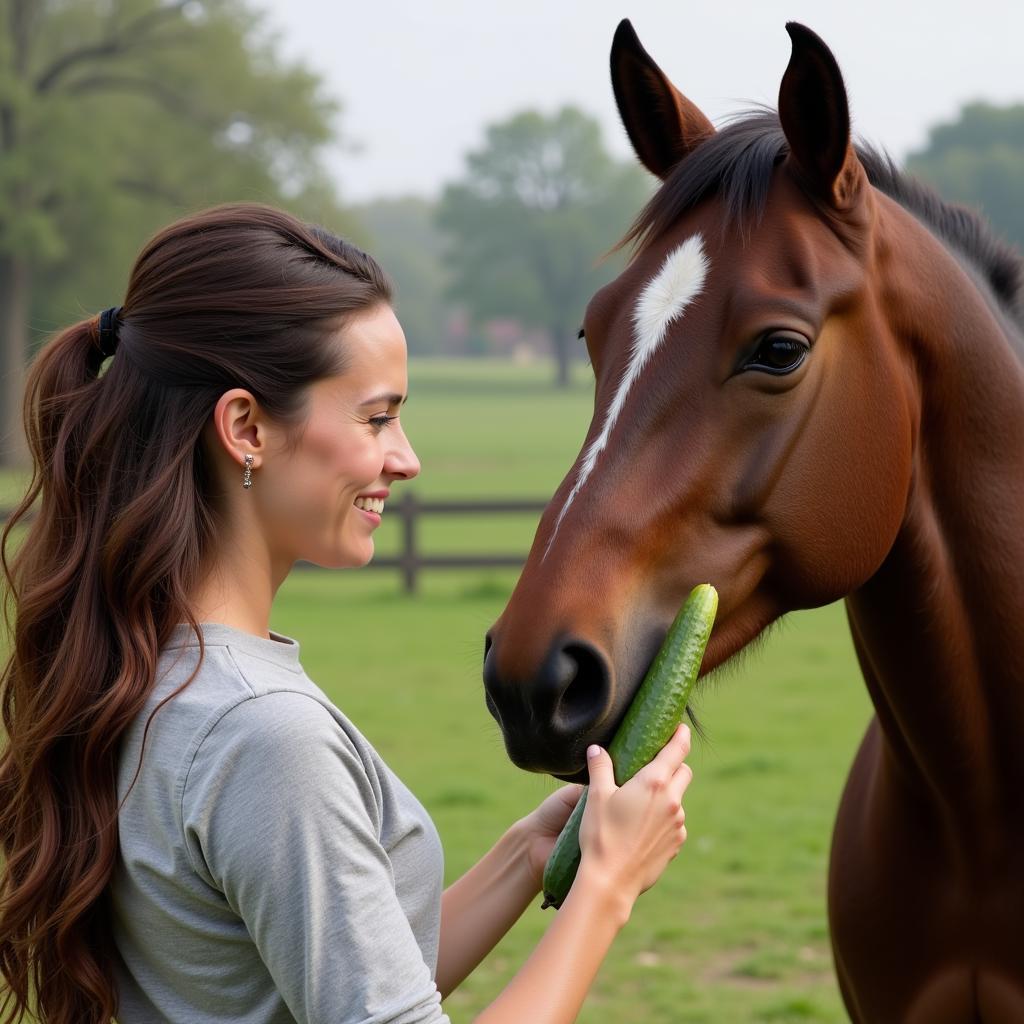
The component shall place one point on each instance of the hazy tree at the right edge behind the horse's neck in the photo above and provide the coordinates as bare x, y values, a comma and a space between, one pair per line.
979, 160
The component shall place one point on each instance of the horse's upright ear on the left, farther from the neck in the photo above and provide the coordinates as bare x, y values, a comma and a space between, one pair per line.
664, 126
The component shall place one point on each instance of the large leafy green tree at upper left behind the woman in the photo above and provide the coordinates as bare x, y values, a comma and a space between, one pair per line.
117, 116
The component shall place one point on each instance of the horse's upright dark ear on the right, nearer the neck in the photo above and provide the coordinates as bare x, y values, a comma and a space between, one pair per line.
816, 116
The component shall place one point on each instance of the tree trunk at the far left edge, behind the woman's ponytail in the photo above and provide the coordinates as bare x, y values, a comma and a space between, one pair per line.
15, 284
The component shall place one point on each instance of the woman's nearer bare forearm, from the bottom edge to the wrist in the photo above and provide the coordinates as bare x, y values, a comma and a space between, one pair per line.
551, 987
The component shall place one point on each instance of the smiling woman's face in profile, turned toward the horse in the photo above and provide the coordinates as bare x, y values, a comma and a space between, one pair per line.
322, 503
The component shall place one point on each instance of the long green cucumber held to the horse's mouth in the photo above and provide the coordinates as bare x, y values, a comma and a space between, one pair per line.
652, 719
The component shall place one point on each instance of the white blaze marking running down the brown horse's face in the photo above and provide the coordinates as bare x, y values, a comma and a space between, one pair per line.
663, 301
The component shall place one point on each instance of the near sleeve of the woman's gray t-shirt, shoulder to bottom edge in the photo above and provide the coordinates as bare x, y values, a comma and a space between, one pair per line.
280, 817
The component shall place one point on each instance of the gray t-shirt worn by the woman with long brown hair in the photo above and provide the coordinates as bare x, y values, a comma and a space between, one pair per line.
273, 868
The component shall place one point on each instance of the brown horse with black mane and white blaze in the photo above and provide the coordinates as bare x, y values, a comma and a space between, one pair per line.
809, 387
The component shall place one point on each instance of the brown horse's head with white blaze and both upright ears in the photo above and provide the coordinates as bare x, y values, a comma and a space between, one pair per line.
751, 425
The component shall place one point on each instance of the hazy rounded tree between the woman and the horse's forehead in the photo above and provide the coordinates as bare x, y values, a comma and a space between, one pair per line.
538, 206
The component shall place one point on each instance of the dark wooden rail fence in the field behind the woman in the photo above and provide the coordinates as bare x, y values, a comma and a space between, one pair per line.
410, 560
